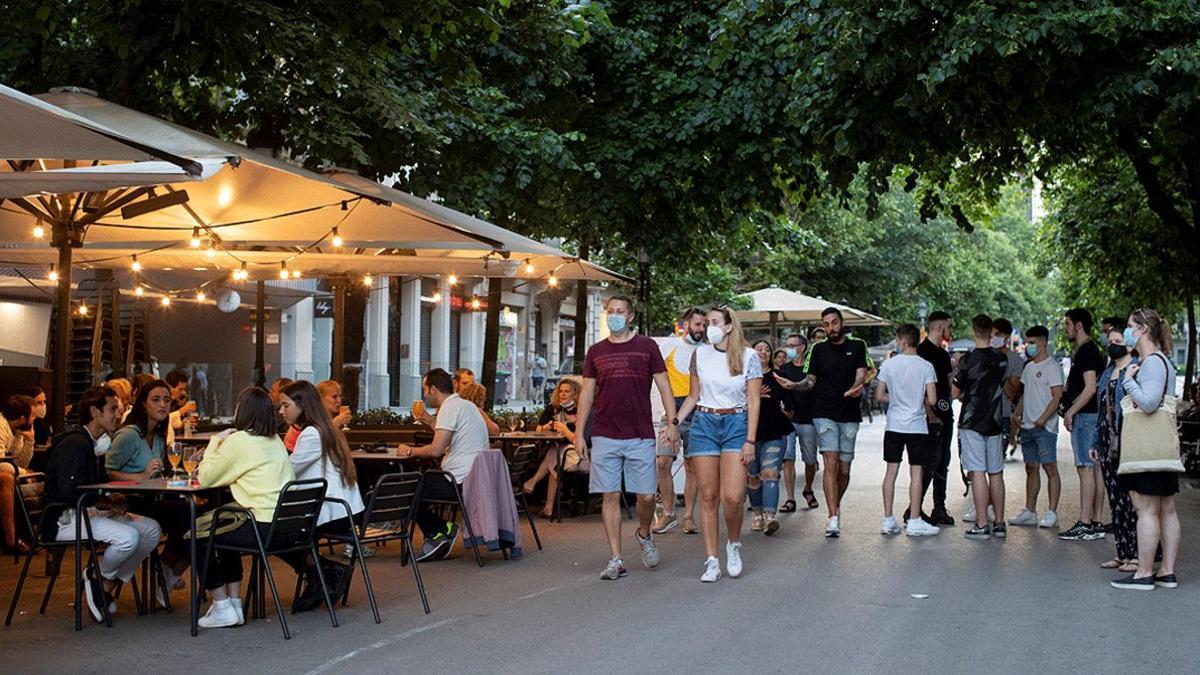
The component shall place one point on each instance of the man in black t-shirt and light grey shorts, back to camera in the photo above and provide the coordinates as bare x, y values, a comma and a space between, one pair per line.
979, 383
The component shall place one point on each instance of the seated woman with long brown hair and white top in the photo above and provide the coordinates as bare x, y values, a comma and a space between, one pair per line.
321, 452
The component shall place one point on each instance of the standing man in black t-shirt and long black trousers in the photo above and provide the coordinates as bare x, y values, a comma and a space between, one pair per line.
941, 332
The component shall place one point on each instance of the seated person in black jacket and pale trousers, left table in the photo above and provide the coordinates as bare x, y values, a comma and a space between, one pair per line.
74, 462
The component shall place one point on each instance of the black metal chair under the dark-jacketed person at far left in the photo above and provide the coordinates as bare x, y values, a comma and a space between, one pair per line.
44, 537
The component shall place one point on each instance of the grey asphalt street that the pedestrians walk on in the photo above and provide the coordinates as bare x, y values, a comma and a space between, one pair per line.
863, 604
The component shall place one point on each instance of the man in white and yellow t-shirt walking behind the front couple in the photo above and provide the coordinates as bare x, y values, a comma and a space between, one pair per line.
677, 356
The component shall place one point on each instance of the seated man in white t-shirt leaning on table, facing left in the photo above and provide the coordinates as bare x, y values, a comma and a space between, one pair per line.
459, 435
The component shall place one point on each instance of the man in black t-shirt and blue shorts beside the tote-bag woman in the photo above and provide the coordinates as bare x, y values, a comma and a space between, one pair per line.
1081, 419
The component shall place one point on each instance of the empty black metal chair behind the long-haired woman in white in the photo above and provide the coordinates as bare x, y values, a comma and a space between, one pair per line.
393, 500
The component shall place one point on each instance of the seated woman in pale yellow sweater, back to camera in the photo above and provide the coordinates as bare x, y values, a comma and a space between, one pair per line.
251, 461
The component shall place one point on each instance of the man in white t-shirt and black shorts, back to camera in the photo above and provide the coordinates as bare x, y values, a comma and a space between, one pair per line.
909, 385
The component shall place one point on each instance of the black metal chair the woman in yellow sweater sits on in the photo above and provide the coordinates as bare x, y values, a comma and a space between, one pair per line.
293, 530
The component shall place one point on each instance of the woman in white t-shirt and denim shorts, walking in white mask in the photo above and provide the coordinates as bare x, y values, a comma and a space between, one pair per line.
722, 441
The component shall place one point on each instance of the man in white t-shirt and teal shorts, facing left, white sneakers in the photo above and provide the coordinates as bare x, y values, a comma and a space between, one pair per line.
1039, 415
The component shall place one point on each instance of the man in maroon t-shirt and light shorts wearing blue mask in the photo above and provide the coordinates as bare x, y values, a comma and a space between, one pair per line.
617, 375
